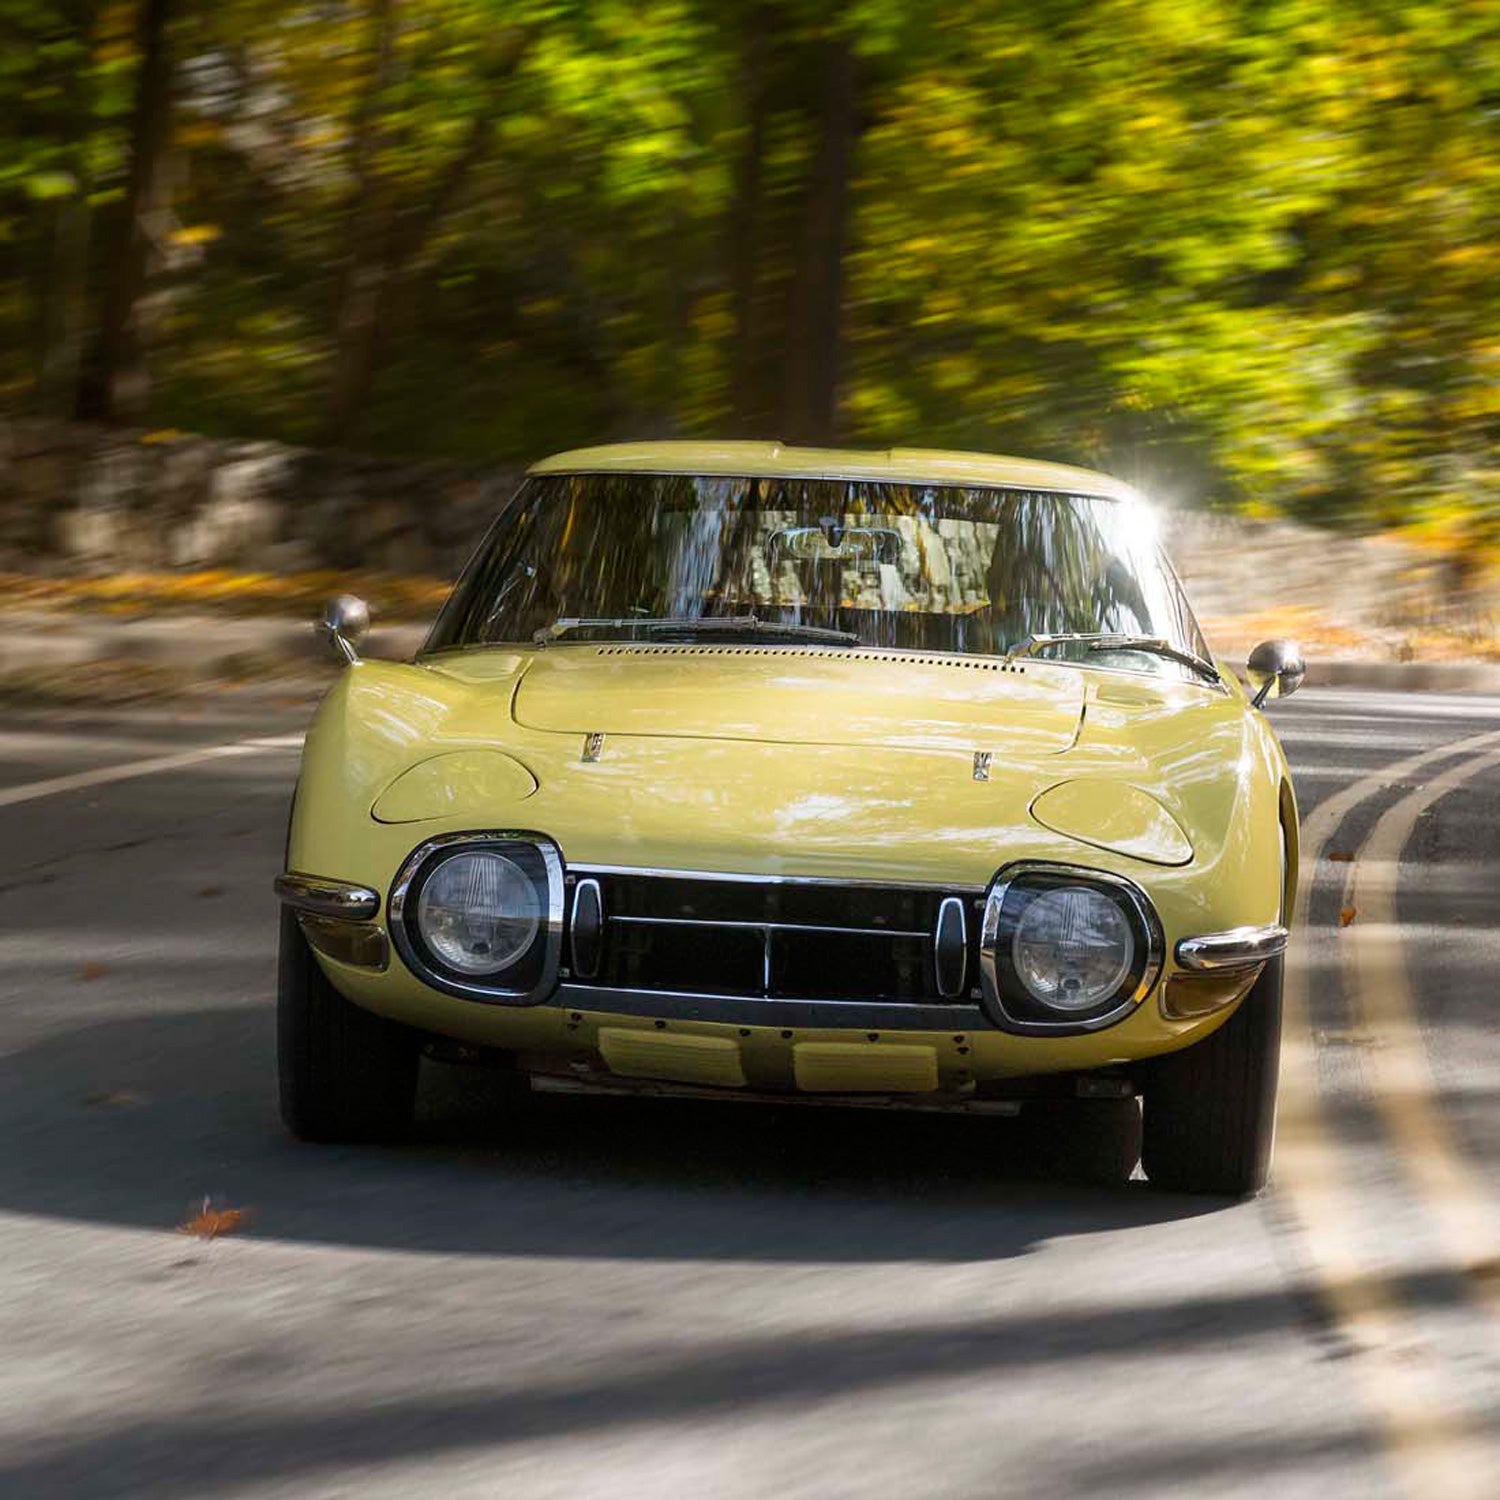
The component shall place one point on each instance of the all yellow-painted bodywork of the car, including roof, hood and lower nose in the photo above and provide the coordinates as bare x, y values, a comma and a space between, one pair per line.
809, 763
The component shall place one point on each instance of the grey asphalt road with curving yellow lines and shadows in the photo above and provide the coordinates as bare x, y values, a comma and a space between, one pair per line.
598, 1298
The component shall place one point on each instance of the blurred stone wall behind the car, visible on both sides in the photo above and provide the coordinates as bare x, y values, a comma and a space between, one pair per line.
77, 499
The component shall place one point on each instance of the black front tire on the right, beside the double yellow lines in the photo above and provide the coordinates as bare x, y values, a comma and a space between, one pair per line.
1211, 1109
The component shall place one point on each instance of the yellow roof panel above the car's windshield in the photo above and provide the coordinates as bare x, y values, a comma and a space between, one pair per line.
778, 460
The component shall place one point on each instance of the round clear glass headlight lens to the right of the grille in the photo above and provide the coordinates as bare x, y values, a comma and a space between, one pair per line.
1073, 949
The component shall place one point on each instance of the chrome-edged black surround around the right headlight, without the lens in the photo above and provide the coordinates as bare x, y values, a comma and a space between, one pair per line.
1009, 1004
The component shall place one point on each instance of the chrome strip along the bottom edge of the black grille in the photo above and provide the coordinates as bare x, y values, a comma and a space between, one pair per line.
757, 1010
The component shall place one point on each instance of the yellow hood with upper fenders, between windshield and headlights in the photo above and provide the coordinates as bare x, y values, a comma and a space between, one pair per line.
445, 746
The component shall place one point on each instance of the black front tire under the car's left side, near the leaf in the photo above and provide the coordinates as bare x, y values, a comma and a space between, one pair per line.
346, 1073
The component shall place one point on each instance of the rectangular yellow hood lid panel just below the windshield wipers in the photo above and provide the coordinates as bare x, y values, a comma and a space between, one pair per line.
781, 695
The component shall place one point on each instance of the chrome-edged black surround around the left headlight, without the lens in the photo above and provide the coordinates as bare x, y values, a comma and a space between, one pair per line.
526, 982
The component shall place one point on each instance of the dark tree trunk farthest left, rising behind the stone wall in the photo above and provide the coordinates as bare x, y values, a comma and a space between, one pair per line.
116, 385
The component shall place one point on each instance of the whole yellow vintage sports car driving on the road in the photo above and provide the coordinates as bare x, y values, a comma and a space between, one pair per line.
737, 769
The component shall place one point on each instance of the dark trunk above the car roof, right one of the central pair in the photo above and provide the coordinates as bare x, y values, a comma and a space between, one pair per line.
811, 401
